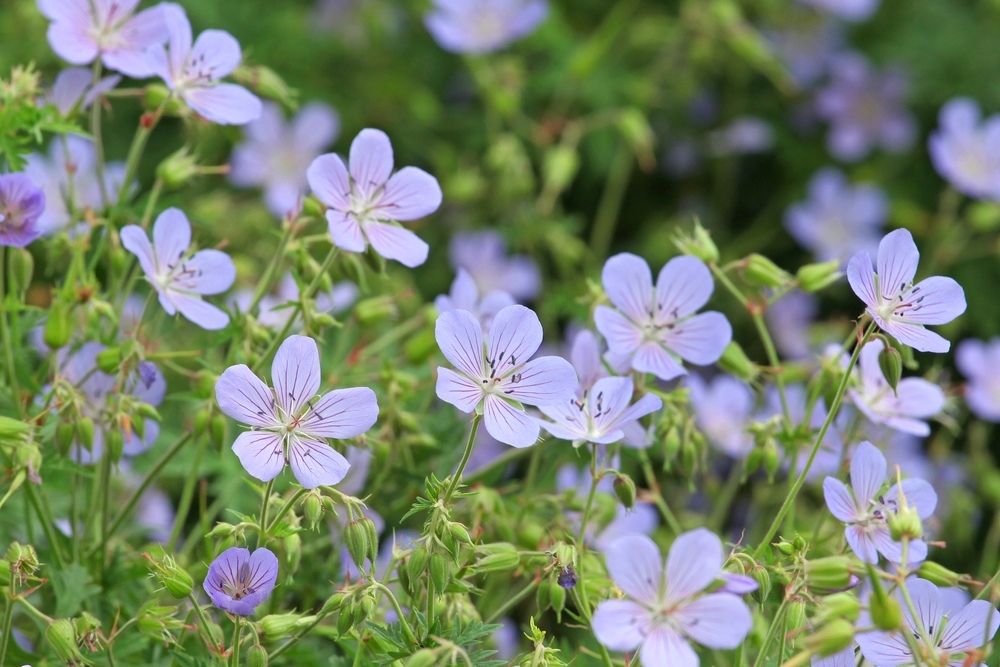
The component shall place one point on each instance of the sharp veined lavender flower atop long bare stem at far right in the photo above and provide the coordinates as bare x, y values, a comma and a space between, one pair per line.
899, 307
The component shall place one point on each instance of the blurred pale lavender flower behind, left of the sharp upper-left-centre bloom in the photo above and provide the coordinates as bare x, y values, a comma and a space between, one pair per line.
275, 155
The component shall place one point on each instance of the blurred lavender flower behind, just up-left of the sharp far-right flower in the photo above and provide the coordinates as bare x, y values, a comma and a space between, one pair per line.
838, 220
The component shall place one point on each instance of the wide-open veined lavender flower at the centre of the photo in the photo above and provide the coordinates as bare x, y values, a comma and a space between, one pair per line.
499, 376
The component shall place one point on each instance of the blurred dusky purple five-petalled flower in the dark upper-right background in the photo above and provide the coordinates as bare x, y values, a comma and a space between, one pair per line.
865, 109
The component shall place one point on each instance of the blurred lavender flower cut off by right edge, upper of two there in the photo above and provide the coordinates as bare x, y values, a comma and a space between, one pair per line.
966, 149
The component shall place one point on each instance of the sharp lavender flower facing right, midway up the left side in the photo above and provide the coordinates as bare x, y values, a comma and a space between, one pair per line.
179, 277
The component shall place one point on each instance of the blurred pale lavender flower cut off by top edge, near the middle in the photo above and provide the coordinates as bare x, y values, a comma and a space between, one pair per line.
482, 26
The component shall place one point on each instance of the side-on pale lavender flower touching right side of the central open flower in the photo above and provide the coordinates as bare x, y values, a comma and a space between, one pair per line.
600, 415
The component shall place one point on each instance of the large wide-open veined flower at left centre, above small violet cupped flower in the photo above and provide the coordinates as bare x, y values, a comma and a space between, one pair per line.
289, 424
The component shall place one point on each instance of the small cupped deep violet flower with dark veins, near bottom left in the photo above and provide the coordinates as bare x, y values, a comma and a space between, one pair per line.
238, 581
